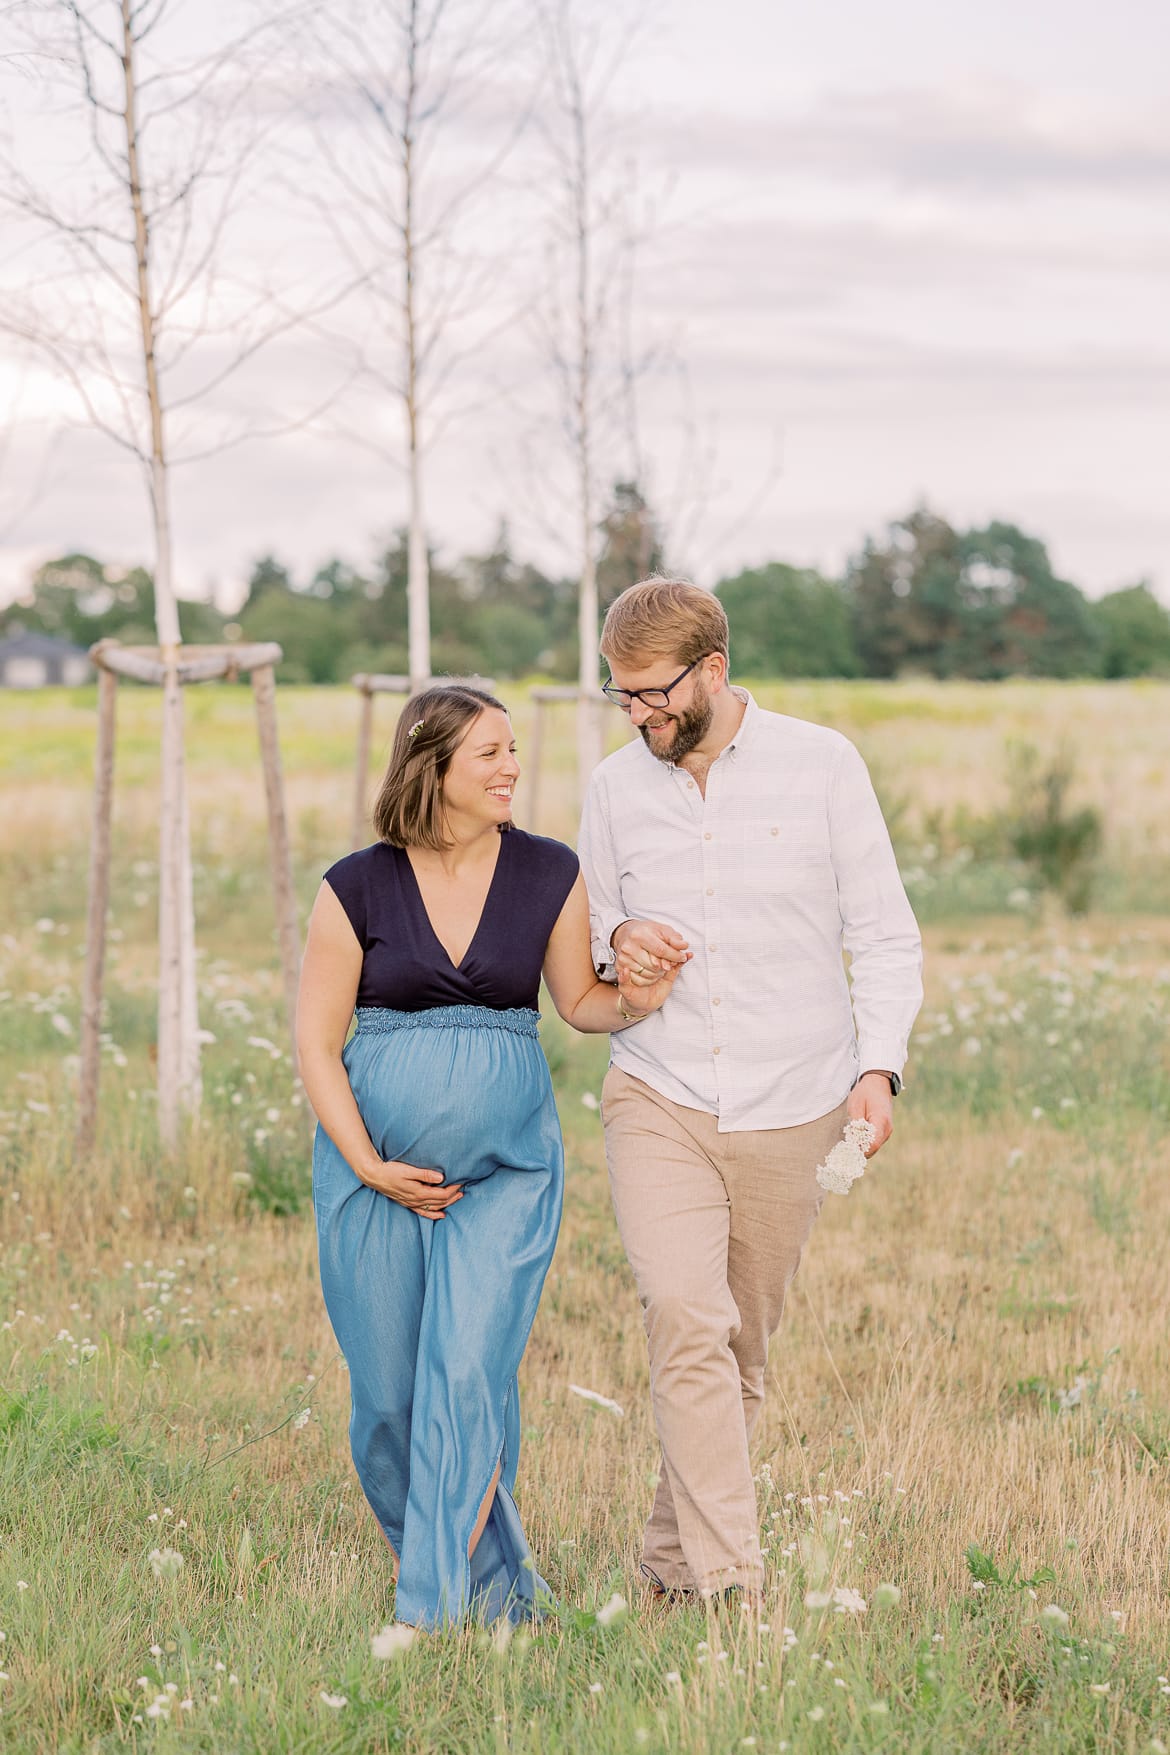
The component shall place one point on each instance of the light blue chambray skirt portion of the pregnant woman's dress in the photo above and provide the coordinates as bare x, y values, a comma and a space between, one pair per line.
434, 1317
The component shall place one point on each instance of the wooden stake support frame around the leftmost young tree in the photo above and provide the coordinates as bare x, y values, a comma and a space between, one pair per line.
192, 664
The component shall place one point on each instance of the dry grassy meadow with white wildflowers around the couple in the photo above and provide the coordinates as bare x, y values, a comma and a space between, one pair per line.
969, 1419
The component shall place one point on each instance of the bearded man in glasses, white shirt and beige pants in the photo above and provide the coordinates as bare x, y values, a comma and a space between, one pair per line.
752, 849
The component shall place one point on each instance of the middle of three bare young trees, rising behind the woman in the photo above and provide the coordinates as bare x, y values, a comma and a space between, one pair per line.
406, 143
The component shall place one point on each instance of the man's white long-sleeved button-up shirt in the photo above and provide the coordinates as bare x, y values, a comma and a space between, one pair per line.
783, 864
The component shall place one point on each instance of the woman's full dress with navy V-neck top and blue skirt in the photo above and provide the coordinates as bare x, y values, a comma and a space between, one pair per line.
434, 1319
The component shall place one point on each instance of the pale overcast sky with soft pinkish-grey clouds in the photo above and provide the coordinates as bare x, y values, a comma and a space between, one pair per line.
910, 254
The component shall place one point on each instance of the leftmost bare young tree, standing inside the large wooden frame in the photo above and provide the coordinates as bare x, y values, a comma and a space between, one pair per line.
122, 227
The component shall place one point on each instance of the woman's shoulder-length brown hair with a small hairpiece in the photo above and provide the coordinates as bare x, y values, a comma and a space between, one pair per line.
434, 724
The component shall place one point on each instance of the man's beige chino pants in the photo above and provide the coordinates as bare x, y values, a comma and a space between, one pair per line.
715, 1228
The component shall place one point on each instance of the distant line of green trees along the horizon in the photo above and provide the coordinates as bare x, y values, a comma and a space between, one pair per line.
925, 599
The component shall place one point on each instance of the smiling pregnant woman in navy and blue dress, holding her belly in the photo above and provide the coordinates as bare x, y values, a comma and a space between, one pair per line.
438, 1164
